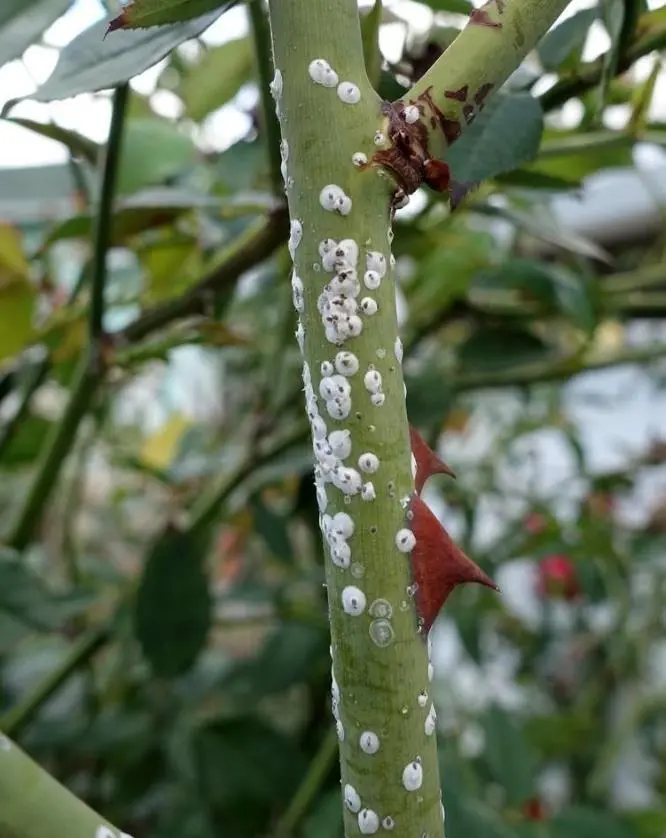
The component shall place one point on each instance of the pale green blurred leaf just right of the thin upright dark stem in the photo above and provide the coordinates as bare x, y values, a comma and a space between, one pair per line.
140, 166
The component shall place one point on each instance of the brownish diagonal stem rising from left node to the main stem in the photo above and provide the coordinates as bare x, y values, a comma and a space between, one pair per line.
258, 242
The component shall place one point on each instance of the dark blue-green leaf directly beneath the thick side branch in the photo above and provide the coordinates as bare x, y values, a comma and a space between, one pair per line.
505, 135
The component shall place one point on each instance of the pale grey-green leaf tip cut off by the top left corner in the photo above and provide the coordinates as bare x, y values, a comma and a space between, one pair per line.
22, 22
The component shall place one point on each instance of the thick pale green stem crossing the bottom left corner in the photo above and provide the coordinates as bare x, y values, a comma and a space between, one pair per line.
35, 805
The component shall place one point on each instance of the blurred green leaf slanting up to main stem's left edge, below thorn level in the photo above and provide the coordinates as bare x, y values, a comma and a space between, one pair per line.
288, 657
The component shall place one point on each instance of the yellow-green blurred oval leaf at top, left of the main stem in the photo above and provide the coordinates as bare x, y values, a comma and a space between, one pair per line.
215, 79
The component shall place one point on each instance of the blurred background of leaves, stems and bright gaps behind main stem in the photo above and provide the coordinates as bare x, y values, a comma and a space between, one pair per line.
163, 639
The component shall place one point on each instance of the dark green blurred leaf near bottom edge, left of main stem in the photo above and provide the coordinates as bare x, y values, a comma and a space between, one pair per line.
245, 762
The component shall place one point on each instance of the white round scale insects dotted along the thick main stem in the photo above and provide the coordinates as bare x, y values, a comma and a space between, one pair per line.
343, 304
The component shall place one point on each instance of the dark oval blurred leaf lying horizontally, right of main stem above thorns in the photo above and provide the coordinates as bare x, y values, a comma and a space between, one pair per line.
499, 347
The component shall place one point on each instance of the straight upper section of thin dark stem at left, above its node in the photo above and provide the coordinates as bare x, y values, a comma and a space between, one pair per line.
104, 219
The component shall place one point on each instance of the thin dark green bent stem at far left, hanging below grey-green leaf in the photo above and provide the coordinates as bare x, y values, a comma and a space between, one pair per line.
87, 377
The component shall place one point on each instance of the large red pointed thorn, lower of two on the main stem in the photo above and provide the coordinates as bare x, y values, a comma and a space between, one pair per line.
438, 564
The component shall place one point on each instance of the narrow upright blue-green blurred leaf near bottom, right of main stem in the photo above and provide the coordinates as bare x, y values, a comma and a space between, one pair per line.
508, 756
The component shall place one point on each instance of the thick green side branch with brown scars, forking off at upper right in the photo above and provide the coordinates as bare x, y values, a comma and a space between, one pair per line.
492, 45
